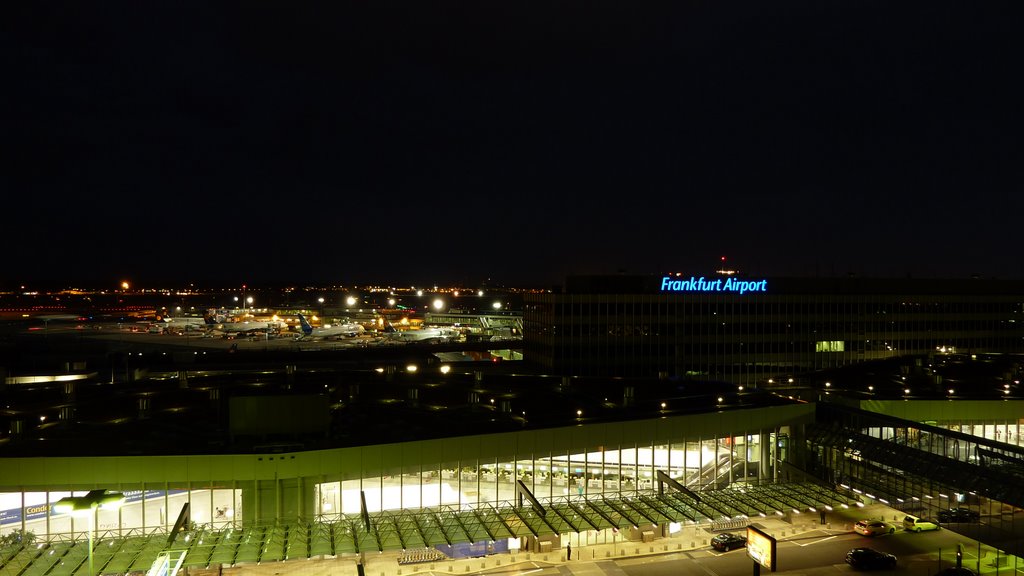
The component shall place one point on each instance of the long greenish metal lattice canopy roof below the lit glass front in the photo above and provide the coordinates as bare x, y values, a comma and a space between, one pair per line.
411, 529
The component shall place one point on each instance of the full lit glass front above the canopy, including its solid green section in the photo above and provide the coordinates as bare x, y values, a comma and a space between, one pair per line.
700, 464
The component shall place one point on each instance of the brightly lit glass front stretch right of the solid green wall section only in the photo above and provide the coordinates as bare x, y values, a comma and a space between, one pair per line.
700, 465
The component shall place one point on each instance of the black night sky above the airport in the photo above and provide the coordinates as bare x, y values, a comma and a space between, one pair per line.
509, 143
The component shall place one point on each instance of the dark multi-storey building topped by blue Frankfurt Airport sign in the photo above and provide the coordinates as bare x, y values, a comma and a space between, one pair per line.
750, 331
